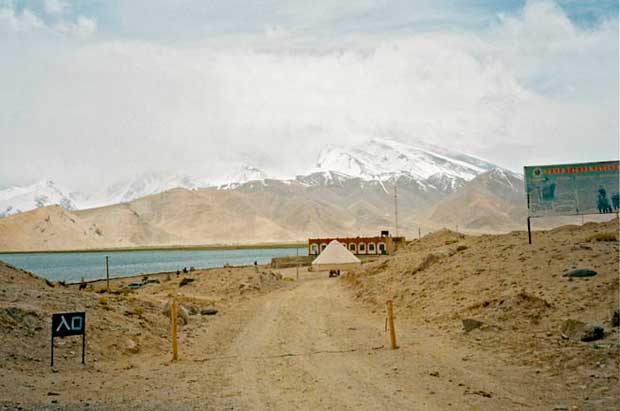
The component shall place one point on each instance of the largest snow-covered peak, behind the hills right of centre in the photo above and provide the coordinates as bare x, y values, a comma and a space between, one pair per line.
380, 159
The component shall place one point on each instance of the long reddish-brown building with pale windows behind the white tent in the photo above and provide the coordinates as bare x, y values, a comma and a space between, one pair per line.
383, 244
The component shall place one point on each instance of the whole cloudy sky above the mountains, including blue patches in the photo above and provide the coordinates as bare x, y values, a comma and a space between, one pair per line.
95, 91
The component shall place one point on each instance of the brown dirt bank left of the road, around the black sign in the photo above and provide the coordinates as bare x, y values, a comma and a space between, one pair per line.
126, 330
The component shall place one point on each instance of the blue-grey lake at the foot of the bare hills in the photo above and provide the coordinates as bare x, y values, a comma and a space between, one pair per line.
73, 266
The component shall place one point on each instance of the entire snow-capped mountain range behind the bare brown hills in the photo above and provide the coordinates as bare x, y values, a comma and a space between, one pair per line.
429, 172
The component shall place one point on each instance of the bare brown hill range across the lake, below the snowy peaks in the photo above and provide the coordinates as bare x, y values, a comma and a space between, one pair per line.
272, 211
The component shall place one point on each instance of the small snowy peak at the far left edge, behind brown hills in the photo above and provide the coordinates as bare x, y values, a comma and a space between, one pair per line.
16, 199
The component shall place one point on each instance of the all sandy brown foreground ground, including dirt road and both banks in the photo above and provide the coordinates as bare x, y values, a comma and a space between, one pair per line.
313, 343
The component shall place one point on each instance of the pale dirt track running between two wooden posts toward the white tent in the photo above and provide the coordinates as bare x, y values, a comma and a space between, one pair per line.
311, 347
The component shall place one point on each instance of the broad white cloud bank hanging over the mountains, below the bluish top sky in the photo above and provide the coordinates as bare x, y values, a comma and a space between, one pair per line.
534, 88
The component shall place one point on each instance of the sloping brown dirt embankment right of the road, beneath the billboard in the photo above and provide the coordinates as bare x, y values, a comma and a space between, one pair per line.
519, 293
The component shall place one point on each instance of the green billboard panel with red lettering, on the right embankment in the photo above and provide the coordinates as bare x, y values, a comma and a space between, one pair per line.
573, 189
